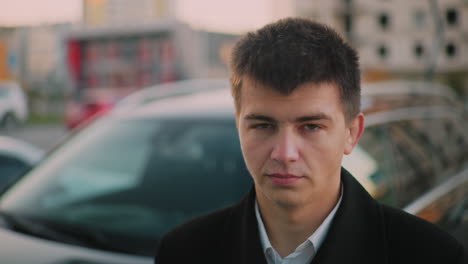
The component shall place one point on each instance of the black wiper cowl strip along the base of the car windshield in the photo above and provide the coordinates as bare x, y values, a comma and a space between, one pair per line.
64, 232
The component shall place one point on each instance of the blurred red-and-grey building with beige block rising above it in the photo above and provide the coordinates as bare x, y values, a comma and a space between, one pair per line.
126, 45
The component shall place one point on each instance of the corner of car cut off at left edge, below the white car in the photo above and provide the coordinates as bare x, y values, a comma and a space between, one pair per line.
16, 157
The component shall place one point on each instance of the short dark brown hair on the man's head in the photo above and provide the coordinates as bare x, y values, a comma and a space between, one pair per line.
293, 51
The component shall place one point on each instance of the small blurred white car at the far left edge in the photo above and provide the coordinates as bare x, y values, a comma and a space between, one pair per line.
13, 105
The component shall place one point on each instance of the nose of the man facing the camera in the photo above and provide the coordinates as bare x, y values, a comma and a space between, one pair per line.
285, 148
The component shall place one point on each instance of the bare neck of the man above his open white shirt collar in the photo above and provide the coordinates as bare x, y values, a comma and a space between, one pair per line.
288, 227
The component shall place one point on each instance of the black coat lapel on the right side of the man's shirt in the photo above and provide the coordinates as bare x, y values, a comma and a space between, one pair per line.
357, 233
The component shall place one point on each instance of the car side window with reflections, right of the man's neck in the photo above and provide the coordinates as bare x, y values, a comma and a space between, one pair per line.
413, 156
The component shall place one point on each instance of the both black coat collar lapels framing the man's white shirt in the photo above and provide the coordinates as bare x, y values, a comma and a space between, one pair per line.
356, 234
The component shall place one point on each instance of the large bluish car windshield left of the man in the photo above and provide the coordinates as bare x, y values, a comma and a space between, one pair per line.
135, 179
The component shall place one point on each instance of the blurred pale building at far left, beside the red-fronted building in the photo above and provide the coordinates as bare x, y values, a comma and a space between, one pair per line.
38, 64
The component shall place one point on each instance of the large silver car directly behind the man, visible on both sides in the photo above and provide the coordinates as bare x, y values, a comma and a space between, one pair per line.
136, 172
